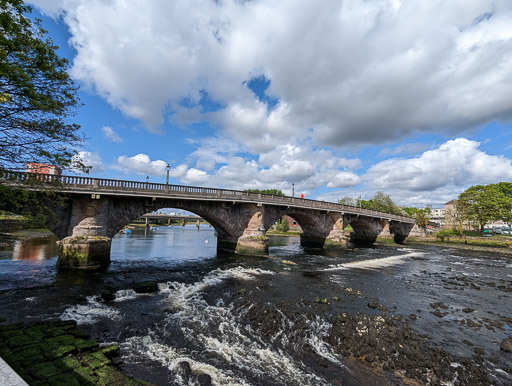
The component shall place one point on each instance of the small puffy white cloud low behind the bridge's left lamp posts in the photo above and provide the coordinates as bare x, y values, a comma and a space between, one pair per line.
142, 164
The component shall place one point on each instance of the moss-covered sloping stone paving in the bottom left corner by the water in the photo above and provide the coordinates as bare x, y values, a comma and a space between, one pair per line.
59, 354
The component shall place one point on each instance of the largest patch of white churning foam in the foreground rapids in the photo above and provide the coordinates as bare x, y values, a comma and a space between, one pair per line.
219, 331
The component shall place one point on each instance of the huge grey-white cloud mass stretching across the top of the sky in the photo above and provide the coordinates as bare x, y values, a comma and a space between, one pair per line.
344, 73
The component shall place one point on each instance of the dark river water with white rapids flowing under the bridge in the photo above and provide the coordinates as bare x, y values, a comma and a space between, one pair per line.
200, 313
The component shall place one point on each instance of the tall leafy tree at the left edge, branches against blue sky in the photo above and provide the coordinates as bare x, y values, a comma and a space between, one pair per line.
37, 96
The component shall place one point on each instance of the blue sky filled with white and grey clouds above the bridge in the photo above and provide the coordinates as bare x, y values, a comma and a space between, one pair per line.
338, 98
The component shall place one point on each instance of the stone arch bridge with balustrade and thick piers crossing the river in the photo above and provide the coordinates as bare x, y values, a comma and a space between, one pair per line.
96, 209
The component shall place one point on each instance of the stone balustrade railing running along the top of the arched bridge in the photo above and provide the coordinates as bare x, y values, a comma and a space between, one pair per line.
99, 185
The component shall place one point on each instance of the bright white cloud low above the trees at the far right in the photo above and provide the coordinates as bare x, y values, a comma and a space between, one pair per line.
457, 163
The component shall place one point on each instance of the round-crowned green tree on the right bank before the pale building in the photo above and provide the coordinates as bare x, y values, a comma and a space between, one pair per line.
482, 204
